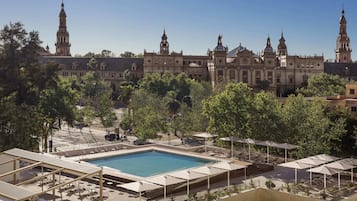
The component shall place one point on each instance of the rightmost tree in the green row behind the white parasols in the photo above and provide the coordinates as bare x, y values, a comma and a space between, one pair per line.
307, 125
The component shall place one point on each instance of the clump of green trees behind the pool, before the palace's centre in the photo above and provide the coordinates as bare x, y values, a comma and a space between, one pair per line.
175, 101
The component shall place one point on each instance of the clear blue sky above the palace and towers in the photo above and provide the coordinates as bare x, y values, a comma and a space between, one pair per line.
310, 26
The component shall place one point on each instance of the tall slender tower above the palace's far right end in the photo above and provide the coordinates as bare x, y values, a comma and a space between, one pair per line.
343, 50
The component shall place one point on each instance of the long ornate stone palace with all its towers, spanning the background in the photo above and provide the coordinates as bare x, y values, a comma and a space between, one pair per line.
276, 71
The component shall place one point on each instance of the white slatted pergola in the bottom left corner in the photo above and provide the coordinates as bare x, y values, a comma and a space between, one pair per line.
14, 191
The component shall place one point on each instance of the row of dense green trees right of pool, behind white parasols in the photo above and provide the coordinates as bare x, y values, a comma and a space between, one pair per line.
236, 111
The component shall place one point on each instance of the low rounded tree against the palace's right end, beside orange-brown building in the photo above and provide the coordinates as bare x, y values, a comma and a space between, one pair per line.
324, 85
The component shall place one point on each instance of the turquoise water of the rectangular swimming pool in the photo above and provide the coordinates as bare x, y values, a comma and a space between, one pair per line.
149, 163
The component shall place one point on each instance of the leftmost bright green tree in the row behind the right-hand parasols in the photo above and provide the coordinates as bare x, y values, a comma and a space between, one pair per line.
229, 112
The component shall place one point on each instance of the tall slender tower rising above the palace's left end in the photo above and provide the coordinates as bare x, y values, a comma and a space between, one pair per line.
62, 44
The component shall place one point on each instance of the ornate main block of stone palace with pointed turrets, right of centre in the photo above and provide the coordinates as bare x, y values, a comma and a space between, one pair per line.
276, 72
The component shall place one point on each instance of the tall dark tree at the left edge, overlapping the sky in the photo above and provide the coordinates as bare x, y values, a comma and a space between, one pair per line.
27, 90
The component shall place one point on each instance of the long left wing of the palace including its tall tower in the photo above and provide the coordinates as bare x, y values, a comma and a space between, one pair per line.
113, 70
